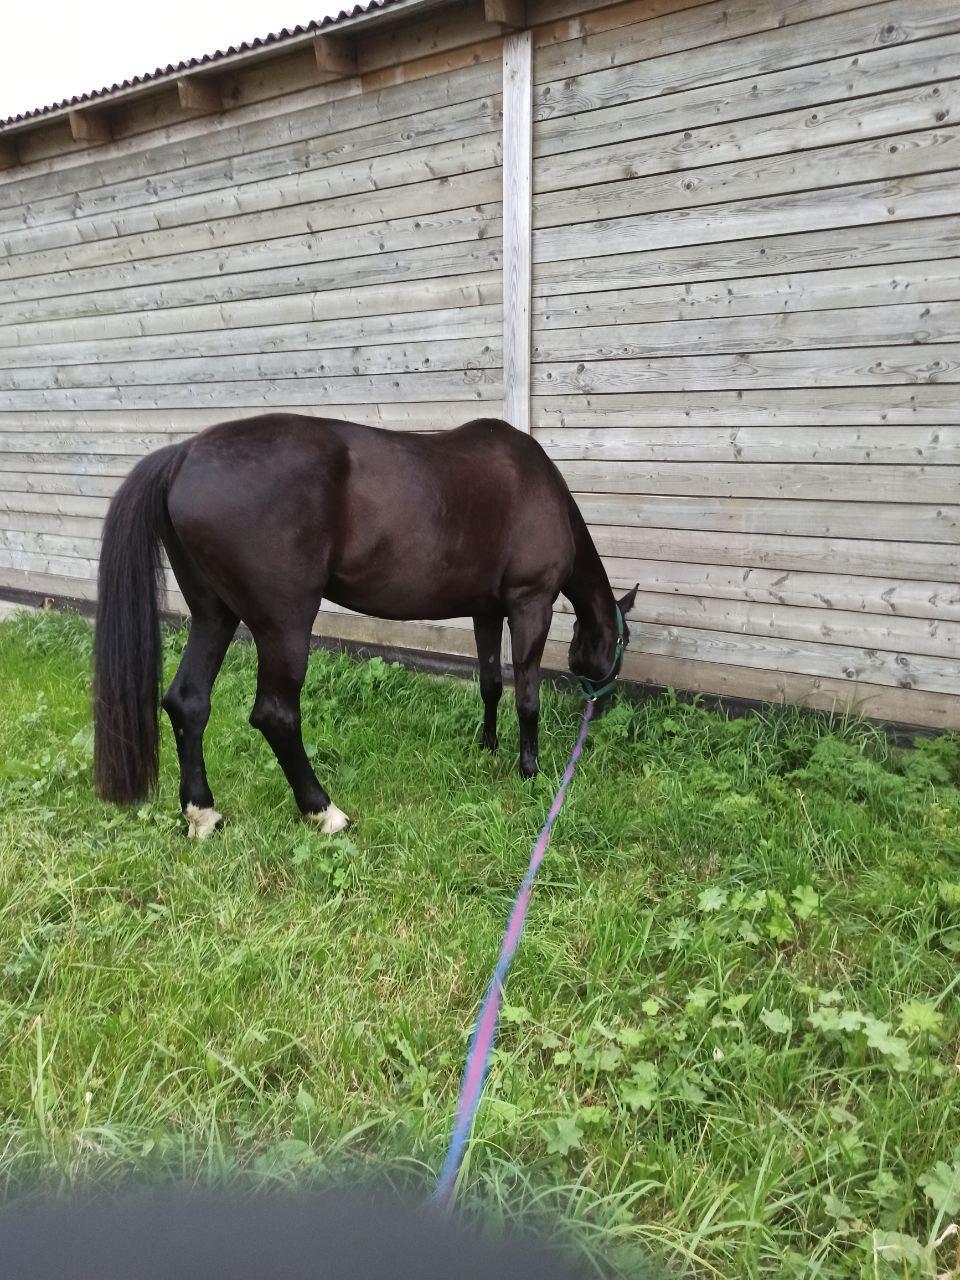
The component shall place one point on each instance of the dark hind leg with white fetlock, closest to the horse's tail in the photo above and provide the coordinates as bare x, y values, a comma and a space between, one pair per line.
188, 703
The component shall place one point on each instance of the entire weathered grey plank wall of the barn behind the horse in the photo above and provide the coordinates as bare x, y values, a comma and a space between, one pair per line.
746, 313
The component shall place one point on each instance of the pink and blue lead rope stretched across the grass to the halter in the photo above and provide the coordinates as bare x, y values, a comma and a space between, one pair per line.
486, 1030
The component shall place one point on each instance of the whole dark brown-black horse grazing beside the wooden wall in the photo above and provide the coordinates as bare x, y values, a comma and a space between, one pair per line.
264, 518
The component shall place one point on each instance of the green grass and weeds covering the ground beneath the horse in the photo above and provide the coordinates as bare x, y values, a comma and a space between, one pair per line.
732, 1041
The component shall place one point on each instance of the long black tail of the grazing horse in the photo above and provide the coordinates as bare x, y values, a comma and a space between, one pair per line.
127, 648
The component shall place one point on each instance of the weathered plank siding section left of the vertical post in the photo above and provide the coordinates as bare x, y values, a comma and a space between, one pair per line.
327, 249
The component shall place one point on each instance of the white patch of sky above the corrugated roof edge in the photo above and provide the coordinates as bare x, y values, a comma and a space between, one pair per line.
61, 48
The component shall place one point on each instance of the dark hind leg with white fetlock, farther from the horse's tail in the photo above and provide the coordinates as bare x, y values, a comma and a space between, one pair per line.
282, 655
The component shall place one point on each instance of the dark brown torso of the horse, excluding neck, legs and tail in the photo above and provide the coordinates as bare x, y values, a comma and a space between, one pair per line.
399, 524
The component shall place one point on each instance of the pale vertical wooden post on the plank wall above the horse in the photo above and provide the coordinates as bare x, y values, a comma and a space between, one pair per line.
518, 181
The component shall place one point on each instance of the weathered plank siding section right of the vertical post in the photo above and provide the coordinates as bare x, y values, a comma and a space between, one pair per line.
747, 339
